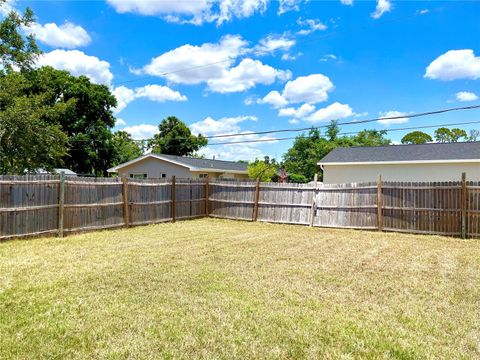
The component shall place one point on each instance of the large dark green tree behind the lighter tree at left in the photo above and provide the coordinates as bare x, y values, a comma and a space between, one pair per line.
87, 121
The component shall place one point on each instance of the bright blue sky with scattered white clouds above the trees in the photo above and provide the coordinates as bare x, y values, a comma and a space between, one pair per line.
286, 64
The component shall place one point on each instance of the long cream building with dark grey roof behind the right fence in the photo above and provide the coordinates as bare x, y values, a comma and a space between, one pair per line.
416, 163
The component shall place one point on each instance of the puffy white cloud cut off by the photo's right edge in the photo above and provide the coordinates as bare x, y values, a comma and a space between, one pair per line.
454, 65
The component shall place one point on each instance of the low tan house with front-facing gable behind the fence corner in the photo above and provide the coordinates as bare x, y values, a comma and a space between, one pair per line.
166, 166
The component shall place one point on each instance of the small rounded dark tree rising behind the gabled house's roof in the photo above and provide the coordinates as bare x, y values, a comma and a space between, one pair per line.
175, 138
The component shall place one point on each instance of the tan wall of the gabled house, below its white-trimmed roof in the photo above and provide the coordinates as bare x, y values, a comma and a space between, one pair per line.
154, 168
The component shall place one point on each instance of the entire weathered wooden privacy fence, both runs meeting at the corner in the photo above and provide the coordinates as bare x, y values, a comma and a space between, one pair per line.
37, 205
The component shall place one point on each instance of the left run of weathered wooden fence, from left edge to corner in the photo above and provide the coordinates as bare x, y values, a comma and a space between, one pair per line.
38, 205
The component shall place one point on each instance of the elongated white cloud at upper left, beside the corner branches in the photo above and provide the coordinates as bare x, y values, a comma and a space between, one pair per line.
67, 35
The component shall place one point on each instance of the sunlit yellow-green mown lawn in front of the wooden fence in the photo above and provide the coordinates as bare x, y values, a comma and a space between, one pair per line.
225, 289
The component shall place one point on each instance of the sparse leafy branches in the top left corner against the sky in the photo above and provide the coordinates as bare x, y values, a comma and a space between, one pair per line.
17, 51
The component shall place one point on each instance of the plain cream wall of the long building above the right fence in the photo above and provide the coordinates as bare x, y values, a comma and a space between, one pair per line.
336, 174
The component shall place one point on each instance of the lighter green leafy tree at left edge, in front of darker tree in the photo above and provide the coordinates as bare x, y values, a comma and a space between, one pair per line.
27, 141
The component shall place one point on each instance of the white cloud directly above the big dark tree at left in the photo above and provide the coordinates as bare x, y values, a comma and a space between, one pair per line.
78, 63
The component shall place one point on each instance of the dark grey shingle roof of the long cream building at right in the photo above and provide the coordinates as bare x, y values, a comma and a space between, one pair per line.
434, 152
